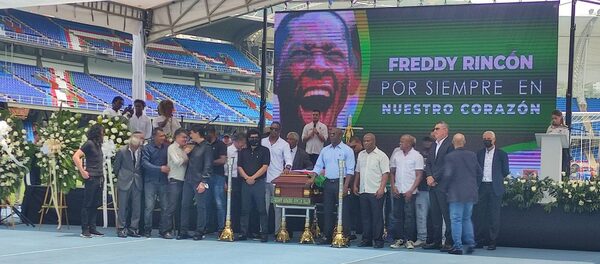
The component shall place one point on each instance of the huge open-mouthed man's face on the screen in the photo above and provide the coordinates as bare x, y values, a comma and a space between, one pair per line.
318, 67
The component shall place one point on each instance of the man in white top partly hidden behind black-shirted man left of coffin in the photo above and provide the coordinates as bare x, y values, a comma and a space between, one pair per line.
238, 143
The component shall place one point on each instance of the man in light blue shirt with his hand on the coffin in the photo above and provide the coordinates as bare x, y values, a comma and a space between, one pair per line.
328, 162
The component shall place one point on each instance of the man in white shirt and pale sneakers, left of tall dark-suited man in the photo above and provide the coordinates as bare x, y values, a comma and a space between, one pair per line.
407, 172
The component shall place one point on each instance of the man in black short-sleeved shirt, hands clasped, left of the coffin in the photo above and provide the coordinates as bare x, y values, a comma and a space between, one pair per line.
253, 163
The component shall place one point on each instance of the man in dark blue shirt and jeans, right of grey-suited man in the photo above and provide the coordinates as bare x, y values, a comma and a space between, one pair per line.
155, 171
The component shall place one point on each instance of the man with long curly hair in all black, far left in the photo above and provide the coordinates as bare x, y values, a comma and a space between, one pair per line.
93, 176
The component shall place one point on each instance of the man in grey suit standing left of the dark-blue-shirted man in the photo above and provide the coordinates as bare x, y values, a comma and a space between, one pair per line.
130, 185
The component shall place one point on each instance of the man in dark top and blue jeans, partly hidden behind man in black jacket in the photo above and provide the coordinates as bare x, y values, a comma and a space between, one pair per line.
217, 181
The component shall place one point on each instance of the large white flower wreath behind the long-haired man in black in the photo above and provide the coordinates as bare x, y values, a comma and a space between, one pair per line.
57, 145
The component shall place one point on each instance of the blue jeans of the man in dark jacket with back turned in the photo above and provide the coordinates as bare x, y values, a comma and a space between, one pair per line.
462, 226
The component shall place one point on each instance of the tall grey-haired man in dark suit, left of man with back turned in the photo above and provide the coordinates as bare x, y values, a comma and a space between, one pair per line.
434, 171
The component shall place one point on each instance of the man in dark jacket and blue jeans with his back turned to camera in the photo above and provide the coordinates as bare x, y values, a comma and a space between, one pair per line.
461, 172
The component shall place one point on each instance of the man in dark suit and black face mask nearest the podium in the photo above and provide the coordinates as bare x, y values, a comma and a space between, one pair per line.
494, 162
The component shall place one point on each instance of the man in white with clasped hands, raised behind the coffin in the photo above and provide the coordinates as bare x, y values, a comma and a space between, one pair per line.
314, 136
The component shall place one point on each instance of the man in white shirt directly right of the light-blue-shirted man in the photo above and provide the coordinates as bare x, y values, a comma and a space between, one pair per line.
372, 172
